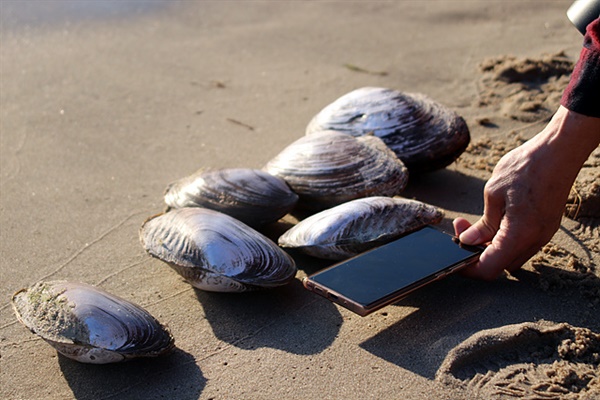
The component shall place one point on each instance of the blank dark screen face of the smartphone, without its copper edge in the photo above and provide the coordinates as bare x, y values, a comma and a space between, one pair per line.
383, 271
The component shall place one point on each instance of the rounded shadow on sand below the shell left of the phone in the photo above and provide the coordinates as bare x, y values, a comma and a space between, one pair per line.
275, 318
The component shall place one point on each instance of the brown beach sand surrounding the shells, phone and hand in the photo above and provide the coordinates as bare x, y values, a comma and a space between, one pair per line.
102, 105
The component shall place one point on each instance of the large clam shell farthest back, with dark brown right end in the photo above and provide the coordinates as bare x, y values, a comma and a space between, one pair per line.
423, 133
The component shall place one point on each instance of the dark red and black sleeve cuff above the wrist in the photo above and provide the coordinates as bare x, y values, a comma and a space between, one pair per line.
583, 92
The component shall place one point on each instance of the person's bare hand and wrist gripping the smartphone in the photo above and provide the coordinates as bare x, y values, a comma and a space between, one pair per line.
526, 196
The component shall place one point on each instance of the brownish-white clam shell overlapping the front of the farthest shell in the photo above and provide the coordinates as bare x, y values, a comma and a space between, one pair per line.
329, 168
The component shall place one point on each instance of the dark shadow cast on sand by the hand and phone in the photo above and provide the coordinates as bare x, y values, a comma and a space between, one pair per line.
451, 310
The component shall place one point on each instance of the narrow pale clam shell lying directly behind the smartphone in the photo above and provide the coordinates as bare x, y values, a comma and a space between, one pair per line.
359, 225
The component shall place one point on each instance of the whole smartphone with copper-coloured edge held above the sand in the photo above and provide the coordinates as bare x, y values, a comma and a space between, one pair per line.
381, 276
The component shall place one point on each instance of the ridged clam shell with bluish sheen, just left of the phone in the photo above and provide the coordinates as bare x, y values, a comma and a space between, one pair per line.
216, 252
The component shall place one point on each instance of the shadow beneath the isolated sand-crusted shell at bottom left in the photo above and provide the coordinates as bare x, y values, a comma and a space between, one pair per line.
172, 376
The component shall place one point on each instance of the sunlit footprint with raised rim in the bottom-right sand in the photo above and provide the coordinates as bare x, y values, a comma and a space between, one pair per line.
541, 360
